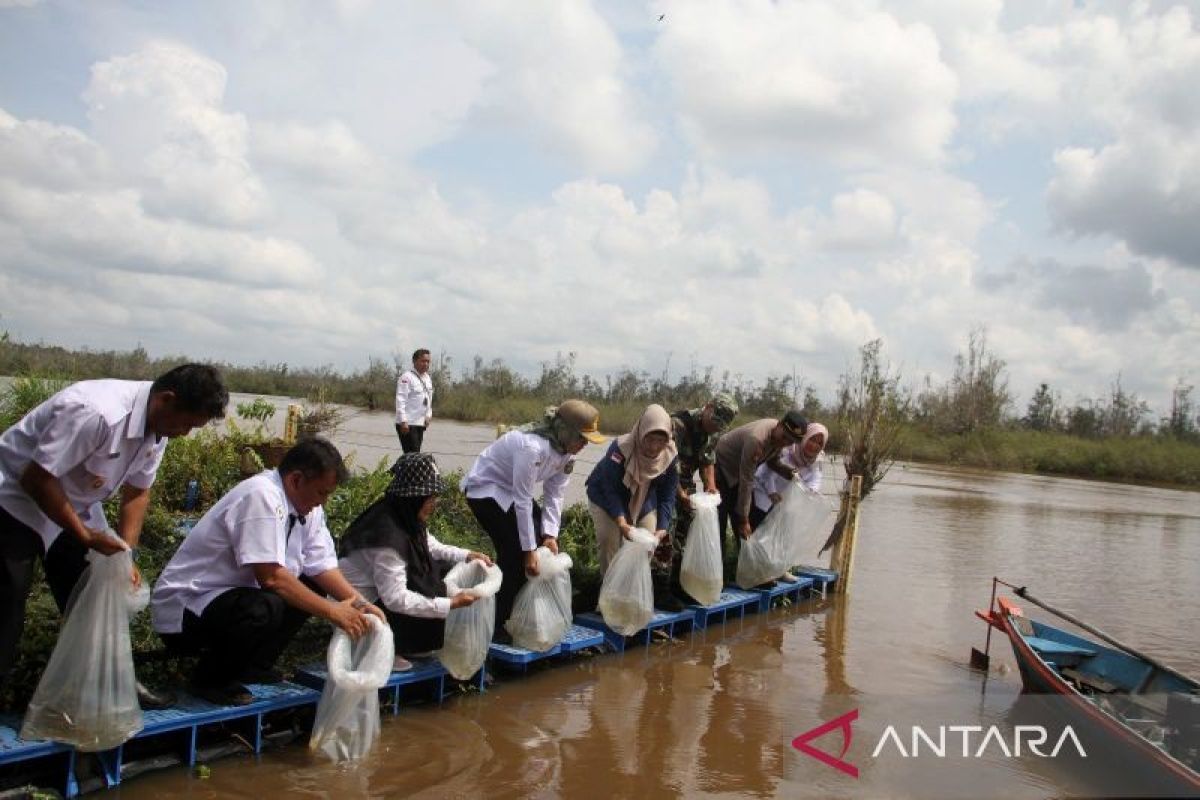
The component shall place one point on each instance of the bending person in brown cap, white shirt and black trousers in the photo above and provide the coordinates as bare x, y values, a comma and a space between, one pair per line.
500, 492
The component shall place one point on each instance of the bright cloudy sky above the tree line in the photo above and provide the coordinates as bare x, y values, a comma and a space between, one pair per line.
758, 188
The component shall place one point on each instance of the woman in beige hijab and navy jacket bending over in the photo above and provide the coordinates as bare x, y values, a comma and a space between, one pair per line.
635, 484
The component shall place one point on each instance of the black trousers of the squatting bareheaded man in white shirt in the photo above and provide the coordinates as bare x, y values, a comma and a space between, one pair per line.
243, 629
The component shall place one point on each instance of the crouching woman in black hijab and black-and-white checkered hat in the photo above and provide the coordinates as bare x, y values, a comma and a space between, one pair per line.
393, 561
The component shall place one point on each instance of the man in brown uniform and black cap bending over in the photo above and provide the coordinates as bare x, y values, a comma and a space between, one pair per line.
739, 455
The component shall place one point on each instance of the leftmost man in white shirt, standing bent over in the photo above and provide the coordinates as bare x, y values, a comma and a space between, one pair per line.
63, 460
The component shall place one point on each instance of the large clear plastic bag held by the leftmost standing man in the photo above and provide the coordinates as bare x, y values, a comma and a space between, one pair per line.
88, 694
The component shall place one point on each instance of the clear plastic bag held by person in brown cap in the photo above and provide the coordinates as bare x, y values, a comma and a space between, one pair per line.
542, 612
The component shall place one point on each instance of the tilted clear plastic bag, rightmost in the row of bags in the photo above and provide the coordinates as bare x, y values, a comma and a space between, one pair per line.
775, 546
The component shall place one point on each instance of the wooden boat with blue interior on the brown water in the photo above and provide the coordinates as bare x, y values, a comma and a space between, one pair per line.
1138, 709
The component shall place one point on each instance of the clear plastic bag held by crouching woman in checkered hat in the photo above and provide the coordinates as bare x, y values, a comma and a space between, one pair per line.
469, 630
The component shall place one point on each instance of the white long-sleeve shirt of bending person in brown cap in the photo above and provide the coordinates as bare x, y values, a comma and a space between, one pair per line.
511, 468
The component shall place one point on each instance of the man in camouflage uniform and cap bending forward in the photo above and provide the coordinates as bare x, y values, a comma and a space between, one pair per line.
697, 432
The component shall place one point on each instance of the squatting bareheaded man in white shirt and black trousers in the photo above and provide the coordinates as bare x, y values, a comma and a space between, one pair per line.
251, 572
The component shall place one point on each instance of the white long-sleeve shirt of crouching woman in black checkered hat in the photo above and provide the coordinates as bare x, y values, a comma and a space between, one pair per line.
381, 574
